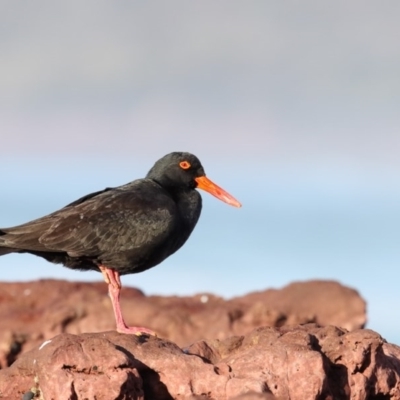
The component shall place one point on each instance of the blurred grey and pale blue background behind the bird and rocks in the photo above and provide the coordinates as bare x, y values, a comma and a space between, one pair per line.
294, 109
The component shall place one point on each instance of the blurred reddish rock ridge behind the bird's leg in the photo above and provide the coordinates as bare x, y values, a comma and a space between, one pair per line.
35, 311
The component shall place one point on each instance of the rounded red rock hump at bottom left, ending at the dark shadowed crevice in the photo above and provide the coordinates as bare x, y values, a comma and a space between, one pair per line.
69, 366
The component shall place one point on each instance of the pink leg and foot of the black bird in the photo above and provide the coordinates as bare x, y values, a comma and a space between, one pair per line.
114, 289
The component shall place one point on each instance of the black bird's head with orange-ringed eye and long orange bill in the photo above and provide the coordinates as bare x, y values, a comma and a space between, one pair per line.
184, 170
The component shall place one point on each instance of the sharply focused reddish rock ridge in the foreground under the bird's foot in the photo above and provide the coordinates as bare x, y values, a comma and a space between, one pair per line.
296, 363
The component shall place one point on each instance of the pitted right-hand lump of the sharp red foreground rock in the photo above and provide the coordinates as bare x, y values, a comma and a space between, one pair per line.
312, 362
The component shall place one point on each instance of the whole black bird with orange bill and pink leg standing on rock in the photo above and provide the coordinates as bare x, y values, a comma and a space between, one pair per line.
122, 230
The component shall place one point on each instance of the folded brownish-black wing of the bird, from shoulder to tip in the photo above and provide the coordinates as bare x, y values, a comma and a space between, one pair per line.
115, 221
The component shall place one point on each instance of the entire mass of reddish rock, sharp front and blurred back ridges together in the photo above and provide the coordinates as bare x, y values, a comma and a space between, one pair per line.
265, 345
